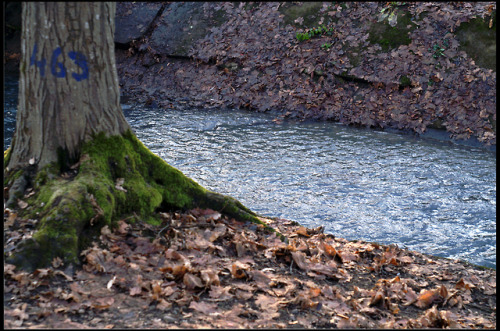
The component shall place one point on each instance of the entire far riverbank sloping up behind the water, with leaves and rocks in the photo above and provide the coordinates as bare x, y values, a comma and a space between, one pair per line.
406, 66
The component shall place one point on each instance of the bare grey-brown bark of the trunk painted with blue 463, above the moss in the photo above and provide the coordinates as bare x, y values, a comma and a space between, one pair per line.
61, 105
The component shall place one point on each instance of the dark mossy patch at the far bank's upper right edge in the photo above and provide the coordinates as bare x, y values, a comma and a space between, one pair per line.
478, 40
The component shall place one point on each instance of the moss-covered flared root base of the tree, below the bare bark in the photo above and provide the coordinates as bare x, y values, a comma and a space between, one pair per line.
116, 177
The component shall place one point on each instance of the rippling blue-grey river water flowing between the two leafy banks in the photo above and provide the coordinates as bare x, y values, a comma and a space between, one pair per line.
422, 194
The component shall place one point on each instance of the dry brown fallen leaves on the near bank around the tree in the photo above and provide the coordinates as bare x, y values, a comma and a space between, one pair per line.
201, 269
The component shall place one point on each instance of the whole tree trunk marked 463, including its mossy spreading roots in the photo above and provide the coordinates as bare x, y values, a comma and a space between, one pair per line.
73, 146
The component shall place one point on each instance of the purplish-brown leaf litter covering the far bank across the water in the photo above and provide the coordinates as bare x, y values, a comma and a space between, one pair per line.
254, 61
